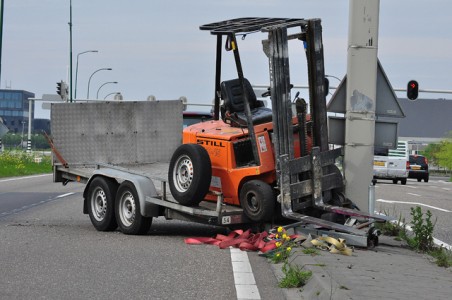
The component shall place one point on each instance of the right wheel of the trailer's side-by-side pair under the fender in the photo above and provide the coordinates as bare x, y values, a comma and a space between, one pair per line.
128, 214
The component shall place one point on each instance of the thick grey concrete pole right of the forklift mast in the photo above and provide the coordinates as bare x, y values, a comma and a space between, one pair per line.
361, 99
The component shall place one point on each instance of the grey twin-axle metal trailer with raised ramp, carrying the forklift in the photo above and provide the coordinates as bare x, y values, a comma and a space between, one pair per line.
121, 152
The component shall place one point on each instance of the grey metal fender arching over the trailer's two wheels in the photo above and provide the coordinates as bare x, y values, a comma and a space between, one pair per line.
144, 186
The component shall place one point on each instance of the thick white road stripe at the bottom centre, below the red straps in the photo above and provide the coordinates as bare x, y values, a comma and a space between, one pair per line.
245, 284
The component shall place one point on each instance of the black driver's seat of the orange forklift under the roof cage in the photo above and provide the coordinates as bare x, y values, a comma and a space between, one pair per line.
233, 108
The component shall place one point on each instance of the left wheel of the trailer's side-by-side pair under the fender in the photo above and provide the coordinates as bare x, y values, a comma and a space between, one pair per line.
101, 197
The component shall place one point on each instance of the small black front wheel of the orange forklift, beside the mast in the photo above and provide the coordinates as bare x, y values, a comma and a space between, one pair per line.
258, 200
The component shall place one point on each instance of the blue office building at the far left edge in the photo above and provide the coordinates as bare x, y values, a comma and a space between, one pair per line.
14, 109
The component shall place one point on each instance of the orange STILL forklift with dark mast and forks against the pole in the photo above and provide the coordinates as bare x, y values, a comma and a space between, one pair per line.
270, 162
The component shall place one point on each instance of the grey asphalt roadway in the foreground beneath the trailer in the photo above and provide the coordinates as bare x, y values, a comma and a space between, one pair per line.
50, 250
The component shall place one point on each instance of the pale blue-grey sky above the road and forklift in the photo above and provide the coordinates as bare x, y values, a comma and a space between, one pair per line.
156, 48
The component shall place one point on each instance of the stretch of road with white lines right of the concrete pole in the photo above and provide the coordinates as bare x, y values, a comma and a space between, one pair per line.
435, 195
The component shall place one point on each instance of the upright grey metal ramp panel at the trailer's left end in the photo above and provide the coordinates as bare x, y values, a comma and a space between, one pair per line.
117, 132
